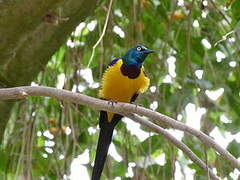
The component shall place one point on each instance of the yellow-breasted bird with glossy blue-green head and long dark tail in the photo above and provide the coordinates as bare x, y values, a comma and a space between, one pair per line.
122, 81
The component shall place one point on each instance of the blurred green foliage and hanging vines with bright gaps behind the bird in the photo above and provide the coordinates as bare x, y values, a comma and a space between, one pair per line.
195, 78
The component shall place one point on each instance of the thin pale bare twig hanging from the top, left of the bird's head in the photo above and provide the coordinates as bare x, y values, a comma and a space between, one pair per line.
102, 35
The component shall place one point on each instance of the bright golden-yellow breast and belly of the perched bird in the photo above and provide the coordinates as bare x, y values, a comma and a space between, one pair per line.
117, 87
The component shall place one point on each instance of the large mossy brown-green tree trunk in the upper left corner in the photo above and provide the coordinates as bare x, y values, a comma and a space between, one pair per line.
30, 32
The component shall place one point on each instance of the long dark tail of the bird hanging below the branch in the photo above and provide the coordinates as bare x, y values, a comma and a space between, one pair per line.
104, 140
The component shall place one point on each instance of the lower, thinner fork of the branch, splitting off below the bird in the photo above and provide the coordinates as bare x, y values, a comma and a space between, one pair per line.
174, 141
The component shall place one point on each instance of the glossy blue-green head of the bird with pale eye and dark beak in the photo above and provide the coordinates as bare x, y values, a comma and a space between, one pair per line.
136, 56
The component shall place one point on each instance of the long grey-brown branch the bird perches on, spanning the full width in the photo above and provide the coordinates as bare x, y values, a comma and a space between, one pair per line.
122, 108
